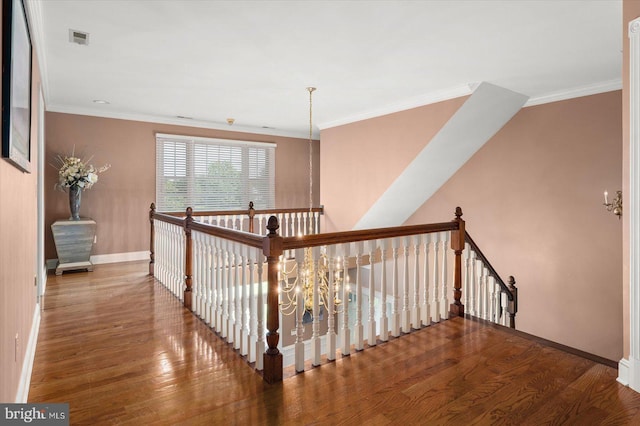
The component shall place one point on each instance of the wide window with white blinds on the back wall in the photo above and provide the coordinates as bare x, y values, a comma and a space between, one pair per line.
213, 174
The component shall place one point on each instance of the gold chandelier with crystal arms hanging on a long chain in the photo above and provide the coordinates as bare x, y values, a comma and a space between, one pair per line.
297, 279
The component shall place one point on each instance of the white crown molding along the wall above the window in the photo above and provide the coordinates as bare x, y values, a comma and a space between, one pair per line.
185, 122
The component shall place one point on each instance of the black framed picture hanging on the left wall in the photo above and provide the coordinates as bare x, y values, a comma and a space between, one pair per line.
16, 85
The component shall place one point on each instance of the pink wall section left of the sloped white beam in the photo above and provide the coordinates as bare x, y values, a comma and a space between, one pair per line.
360, 160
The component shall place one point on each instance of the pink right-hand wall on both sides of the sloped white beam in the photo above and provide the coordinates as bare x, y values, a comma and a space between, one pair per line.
532, 198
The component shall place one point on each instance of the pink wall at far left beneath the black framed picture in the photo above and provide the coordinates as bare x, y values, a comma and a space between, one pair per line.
18, 253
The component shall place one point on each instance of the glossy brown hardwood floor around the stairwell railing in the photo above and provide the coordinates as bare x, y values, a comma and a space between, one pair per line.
121, 350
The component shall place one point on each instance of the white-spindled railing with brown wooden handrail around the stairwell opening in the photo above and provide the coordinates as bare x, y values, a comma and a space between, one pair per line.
393, 281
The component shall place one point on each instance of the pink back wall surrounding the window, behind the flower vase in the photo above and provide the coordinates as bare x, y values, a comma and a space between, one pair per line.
119, 201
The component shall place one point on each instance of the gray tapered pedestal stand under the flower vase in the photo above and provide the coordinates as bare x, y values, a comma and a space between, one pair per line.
74, 240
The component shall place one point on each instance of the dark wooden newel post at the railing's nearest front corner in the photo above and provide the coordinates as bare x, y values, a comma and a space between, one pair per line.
272, 249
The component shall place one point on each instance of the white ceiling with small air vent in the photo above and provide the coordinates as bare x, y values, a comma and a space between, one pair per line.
252, 60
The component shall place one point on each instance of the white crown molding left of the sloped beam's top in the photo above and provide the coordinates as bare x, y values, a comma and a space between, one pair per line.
422, 100
